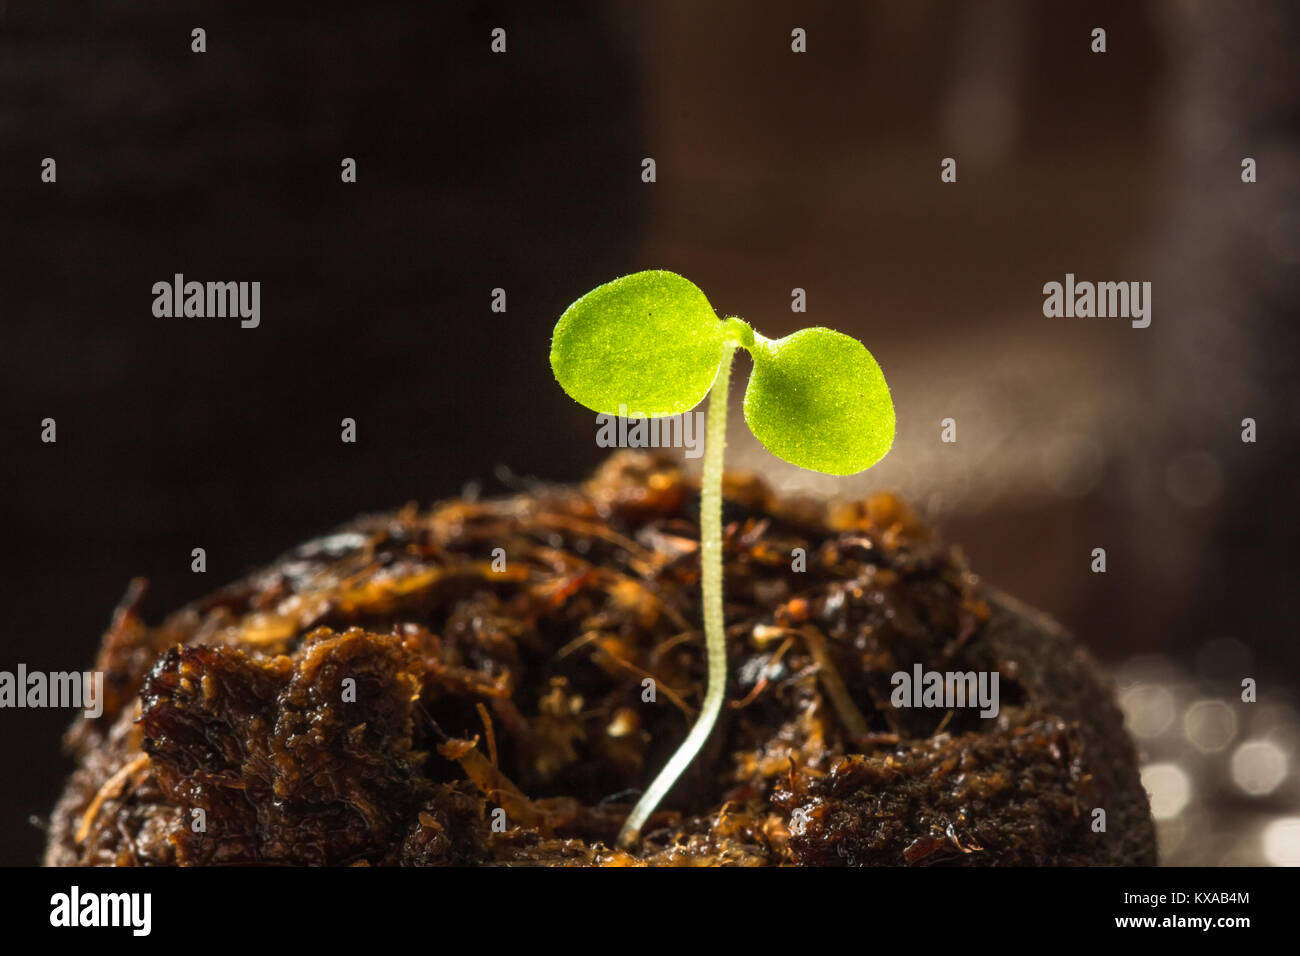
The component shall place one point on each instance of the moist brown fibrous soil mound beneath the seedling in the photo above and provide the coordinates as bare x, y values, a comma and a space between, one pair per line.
473, 686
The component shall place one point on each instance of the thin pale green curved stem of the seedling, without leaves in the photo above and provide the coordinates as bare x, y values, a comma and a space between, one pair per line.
712, 586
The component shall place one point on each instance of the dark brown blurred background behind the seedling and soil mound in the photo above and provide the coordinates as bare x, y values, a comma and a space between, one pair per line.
774, 171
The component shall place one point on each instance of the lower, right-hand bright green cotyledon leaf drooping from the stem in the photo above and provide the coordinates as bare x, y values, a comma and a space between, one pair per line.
818, 400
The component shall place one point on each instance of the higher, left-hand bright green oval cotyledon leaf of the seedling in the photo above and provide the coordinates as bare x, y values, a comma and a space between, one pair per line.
644, 345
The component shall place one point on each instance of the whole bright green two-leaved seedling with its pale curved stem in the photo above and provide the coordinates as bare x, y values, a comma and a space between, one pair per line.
653, 344
